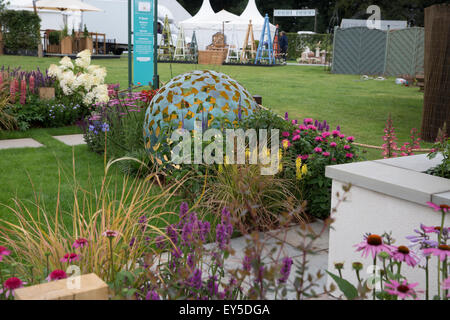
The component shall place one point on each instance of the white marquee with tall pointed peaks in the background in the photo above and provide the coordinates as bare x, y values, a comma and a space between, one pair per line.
206, 23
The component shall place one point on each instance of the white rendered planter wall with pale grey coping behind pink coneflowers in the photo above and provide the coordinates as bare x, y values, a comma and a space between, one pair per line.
386, 195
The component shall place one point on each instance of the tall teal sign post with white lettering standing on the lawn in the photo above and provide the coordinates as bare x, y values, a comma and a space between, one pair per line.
145, 43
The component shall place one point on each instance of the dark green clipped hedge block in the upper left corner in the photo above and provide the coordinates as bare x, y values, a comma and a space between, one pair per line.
21, 29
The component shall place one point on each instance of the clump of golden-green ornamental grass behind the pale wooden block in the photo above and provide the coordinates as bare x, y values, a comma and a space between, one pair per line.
119, 221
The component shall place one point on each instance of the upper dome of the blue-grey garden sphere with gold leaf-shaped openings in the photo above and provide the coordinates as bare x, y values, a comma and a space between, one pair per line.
201, 95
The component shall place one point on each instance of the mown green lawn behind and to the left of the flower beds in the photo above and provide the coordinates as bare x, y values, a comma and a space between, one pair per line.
360, 107
